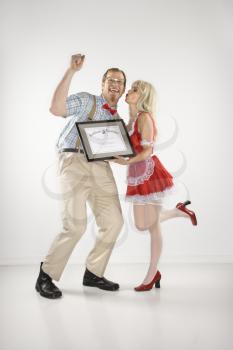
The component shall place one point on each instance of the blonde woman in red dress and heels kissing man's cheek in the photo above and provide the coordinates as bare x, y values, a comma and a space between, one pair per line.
148, 180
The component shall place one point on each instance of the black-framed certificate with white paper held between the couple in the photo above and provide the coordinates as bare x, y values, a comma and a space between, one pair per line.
105, 139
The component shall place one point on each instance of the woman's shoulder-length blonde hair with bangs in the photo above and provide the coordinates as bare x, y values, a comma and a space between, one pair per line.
147, 99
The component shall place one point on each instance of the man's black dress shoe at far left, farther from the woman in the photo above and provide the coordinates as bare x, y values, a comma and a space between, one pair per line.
46, 287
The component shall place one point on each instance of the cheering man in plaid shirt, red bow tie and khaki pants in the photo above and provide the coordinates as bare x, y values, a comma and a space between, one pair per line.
83, 182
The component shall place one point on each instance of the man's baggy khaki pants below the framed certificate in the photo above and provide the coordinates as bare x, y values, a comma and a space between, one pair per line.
83, 182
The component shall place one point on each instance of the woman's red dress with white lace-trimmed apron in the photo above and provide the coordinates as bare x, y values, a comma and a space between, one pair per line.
148, 180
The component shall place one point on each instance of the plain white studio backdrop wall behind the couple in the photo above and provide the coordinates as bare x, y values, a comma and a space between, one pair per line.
185, 49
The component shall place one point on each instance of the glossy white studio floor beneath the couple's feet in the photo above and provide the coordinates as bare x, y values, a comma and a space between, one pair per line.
192, 310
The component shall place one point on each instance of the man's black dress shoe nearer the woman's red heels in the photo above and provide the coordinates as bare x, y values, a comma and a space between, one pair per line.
91, 280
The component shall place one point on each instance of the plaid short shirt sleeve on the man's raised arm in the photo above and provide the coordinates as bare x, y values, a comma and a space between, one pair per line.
75, 103
